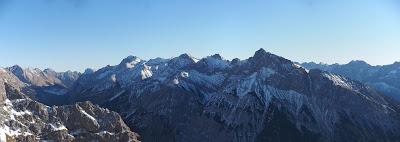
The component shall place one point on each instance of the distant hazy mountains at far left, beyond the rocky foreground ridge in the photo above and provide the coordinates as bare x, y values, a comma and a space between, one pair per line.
47, 86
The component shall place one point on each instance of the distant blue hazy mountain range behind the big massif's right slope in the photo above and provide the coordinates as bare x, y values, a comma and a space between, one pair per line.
385, 79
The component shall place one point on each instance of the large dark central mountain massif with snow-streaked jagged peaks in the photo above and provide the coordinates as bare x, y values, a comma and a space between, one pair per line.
263, 98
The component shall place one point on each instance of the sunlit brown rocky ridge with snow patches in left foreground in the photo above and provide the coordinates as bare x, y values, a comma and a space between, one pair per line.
22, 119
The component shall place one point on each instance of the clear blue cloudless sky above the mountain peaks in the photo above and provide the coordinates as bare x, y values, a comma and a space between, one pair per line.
76, 34
